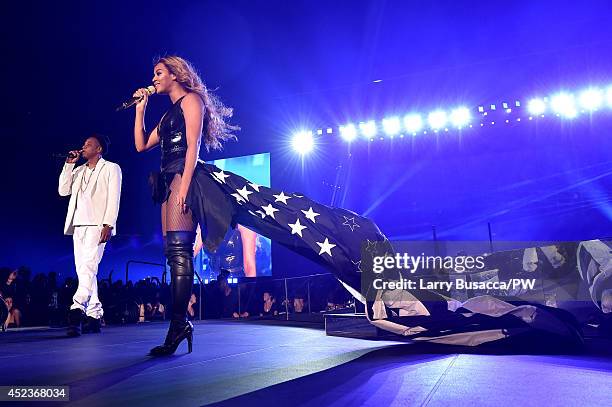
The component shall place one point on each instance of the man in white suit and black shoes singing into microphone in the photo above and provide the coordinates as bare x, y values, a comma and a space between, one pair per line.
95, 190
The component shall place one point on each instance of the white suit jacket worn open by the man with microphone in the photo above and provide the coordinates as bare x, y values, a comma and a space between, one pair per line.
106, 192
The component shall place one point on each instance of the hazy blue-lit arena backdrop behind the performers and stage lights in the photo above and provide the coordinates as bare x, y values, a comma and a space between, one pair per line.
286, 65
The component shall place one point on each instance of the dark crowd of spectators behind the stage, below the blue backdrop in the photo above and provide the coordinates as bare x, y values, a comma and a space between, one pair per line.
29, 300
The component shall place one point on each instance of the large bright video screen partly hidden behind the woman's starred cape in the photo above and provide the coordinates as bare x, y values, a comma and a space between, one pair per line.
243, 252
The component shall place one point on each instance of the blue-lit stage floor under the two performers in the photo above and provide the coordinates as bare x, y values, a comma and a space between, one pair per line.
238, 363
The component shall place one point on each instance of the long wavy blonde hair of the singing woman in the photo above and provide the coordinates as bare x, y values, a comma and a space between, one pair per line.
216, 129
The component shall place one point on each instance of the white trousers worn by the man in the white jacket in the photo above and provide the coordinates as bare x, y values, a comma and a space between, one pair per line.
87, 255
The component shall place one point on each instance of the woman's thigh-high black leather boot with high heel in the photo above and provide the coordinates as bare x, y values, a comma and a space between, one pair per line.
179, 251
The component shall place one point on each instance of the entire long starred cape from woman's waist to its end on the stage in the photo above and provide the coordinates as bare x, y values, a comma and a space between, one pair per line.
336, 238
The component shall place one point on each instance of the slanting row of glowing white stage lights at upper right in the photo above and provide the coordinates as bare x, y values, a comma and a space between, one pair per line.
563, 104
